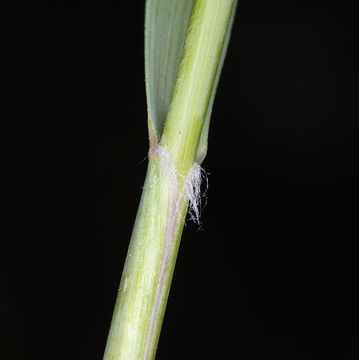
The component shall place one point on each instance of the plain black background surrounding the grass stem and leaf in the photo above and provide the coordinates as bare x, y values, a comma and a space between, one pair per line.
273, 272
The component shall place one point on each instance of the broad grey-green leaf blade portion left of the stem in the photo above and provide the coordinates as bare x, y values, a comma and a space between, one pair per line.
166, 23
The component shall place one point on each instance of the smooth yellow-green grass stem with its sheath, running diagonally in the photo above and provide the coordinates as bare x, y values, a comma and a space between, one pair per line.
151, 257
